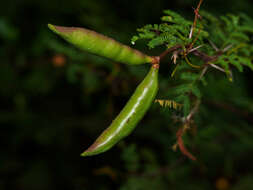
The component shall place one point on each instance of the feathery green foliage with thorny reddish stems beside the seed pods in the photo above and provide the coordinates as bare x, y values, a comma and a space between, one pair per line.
207, 43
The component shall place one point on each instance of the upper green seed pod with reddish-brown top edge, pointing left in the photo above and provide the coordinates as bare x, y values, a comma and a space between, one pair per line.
101, 45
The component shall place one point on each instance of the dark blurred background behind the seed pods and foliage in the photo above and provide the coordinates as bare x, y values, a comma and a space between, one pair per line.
55, 100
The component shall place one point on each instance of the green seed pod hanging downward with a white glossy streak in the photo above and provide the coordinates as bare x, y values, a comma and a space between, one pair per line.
129, 117
